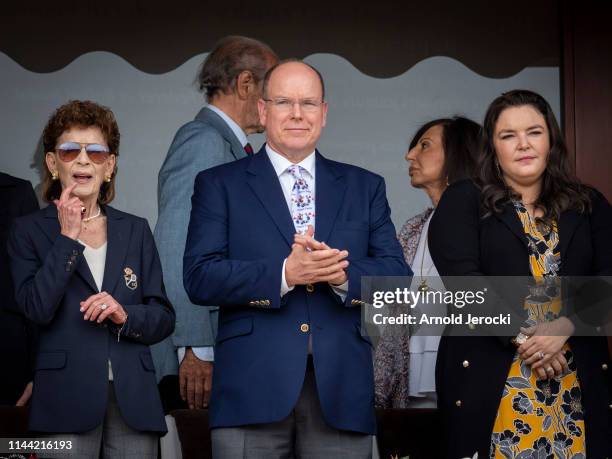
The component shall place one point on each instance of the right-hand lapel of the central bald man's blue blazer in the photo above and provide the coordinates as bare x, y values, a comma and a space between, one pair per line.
331, 187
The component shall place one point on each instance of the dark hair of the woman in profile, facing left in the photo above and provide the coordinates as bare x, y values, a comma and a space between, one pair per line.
461, 143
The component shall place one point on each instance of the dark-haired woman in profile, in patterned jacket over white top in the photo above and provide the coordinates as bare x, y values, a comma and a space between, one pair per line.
441, 152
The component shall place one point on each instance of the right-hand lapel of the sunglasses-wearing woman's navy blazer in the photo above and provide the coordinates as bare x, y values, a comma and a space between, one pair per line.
118, 231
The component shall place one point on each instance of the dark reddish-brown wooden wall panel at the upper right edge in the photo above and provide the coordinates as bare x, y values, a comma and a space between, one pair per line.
587, 90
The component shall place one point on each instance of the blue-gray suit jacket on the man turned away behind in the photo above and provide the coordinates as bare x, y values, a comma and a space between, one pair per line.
205, 142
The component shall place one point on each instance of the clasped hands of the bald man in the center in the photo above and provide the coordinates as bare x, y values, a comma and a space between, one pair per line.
311, 261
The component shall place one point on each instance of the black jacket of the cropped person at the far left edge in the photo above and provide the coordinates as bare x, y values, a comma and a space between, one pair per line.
17, 335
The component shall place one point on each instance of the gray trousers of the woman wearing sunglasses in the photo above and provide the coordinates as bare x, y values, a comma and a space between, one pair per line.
113, 439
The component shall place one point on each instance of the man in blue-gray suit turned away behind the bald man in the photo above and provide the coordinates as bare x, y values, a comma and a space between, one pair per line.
231, 78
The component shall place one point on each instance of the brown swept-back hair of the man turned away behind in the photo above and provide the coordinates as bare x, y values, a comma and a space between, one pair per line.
231, 56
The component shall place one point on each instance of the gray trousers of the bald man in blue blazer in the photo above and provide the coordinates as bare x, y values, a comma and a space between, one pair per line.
302, 435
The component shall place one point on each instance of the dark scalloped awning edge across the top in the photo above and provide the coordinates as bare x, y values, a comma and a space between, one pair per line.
382, 38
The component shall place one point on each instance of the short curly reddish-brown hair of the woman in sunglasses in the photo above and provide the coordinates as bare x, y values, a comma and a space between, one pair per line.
80, 113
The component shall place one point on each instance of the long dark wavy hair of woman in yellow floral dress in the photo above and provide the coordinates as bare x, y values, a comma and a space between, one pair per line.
561, 189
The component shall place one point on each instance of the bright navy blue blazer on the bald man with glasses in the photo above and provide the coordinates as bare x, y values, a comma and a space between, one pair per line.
239, 234
